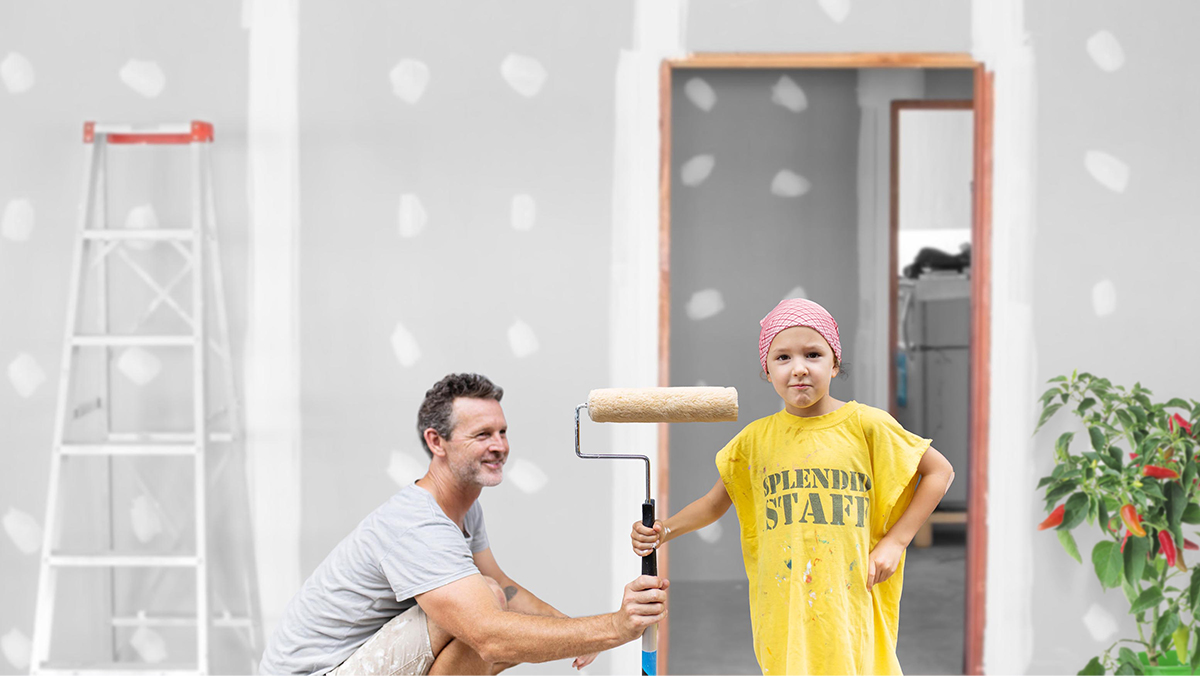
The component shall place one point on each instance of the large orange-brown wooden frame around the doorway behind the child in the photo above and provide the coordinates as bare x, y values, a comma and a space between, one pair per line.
981, 298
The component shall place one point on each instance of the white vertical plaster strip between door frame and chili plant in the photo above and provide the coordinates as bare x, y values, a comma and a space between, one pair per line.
1001, 43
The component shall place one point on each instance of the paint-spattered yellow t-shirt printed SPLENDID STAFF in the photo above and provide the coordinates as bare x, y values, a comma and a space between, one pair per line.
813, 498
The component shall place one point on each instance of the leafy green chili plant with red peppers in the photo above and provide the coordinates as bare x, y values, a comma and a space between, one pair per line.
1137, 478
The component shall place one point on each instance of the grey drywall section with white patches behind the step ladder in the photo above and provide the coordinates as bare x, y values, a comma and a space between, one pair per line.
63, 64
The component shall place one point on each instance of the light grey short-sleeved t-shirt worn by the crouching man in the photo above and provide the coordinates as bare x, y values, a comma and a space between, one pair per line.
405, 548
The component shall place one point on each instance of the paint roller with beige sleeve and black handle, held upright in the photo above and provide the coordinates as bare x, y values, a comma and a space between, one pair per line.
655, 405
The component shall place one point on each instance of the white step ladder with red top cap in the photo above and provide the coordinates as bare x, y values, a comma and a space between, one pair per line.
213, 435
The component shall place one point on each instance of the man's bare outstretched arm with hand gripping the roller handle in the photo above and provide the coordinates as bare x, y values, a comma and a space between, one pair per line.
470, 612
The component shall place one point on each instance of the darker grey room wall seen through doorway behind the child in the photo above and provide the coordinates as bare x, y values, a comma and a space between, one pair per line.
782, 187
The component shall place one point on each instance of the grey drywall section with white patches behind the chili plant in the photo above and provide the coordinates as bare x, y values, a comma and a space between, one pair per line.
1113, 264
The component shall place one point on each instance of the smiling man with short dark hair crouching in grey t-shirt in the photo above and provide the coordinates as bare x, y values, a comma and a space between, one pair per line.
415, 589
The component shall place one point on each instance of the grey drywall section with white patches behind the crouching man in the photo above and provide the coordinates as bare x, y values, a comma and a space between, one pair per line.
455, 217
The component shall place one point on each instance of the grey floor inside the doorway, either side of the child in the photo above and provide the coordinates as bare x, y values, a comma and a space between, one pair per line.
711, 621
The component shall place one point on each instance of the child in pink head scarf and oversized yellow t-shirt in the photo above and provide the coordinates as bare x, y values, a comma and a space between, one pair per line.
829, 495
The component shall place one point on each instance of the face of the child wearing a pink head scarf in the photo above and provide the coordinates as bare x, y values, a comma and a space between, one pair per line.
801, 367
